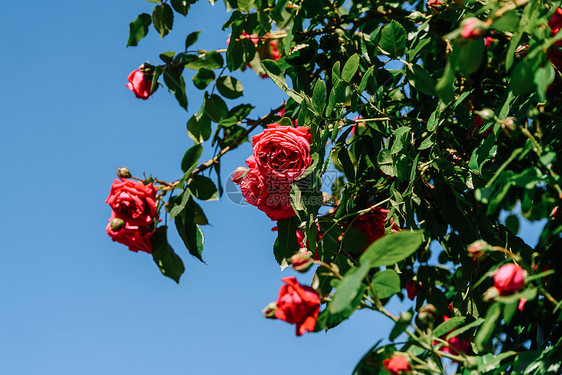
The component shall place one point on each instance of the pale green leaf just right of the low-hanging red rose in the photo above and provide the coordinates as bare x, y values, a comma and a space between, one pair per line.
348, 289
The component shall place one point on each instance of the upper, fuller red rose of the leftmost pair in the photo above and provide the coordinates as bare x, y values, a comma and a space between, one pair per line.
133, 201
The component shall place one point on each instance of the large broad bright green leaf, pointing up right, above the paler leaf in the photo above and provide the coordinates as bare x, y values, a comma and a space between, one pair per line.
392, 248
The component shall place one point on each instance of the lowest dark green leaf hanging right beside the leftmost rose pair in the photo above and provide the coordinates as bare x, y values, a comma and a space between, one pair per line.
169, 263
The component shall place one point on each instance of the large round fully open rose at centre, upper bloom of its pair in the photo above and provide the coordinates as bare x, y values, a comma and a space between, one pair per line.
282, 153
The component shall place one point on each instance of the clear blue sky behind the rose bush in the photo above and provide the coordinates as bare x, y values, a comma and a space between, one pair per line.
74, 302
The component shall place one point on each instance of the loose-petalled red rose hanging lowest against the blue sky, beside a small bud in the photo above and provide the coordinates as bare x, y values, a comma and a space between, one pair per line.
298, 304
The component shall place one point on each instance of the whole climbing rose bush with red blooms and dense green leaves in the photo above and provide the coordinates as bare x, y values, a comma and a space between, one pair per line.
439, 117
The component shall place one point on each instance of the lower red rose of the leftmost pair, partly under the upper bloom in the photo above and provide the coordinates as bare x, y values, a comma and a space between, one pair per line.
135, 237
